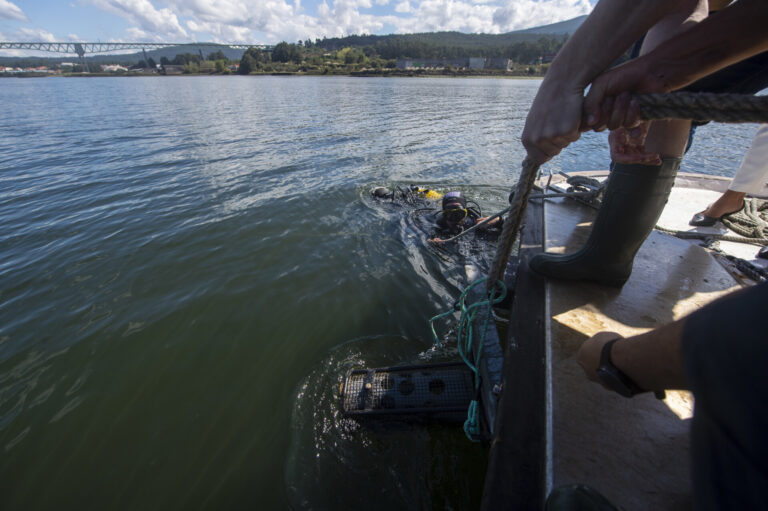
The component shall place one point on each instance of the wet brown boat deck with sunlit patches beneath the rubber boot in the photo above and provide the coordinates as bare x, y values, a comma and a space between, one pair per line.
633, 451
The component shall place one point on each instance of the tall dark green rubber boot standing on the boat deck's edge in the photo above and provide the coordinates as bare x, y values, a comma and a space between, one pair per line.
633, 202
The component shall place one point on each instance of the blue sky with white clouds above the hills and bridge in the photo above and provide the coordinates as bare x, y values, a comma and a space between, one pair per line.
266, 21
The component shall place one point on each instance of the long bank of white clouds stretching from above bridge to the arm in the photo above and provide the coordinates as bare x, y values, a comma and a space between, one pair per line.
247, 21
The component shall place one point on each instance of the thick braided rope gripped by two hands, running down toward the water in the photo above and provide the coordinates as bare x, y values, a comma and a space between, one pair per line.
701, 107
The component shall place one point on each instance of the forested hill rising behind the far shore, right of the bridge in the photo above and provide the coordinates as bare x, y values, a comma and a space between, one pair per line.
448, 44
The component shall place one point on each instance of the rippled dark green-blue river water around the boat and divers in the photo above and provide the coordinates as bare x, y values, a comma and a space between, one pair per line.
189, 265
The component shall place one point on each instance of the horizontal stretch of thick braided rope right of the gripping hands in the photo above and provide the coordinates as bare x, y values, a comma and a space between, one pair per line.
704, 106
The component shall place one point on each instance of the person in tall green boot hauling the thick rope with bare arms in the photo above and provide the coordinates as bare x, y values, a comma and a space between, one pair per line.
647, 156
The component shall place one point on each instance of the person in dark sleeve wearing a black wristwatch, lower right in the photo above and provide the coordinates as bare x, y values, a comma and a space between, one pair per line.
720, 353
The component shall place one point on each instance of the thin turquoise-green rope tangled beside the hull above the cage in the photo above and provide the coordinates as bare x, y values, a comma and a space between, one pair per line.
465, 340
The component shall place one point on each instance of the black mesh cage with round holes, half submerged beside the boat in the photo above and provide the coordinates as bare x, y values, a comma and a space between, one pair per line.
434, 391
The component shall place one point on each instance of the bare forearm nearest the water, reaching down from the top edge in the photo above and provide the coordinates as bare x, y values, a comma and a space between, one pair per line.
611, 28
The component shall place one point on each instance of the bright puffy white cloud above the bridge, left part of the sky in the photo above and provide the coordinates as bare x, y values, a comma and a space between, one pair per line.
151, 22
